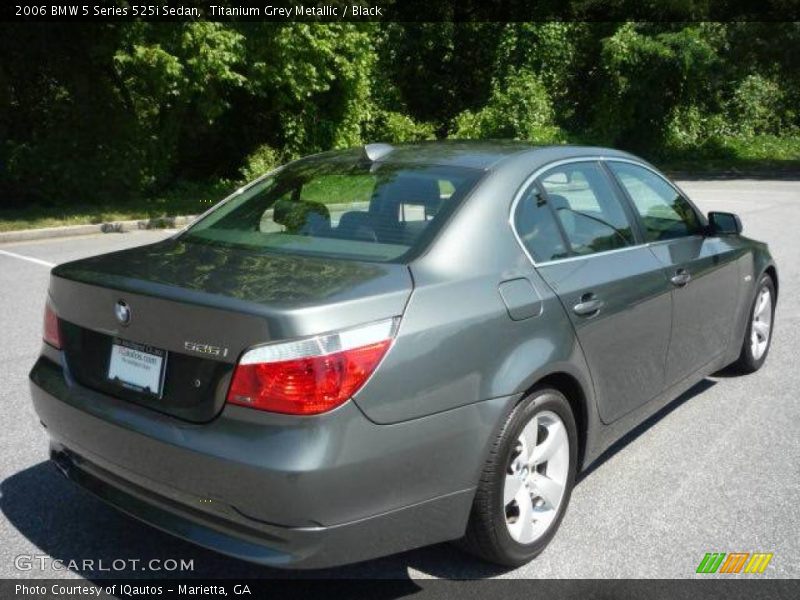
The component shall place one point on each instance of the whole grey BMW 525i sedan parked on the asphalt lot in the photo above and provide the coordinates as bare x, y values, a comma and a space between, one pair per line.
372, 350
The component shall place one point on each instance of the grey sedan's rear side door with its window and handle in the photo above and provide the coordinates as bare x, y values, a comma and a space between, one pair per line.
612, 287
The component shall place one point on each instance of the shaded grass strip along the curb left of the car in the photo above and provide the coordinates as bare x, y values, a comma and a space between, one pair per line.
185, 198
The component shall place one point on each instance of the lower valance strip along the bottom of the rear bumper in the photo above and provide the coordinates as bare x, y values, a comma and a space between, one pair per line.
271, 545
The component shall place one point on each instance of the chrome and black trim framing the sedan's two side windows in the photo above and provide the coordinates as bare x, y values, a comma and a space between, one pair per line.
602, 160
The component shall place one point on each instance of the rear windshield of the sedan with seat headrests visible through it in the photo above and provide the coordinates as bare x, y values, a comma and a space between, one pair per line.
377, 212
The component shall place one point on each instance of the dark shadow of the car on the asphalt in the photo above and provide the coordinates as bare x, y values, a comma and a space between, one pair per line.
69, 524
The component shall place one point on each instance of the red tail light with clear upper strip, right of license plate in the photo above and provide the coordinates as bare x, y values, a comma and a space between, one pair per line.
311, 375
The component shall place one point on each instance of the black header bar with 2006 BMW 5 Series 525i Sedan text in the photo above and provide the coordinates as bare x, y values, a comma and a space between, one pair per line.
401, 10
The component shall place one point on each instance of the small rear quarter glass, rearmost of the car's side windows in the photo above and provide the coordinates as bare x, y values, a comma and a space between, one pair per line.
537, 228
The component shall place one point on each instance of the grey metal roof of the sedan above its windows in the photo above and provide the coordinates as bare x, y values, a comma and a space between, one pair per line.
475, 154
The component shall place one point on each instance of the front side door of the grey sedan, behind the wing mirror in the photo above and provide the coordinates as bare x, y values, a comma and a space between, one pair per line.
702, 270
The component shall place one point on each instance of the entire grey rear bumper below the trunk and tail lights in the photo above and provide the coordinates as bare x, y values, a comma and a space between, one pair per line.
277, 490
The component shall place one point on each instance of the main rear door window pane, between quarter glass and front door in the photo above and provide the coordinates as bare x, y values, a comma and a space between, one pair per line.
589, 210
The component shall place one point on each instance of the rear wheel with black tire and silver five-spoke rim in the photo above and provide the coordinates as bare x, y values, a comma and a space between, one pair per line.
498, 532
